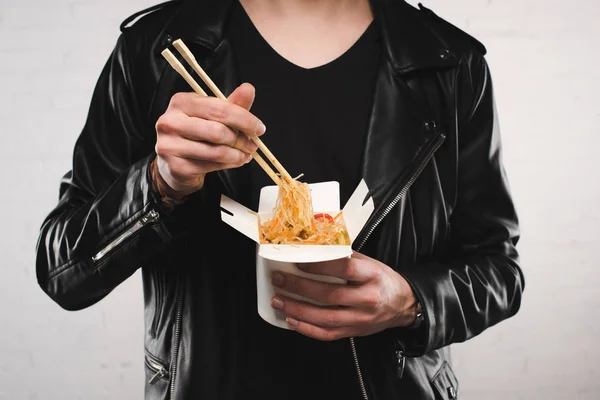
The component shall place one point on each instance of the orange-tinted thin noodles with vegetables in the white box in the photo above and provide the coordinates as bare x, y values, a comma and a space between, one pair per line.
294, 222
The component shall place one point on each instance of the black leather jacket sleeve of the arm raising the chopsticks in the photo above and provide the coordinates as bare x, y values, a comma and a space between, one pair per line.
108, 221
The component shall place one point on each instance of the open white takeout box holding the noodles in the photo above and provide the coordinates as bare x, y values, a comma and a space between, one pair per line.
278, 257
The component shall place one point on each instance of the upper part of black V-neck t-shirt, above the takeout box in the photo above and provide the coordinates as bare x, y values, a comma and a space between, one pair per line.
316, 118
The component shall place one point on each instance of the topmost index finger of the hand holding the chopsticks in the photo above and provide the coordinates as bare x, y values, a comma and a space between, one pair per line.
218, 110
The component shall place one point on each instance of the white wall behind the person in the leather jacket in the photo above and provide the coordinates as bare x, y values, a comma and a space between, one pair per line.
543, 55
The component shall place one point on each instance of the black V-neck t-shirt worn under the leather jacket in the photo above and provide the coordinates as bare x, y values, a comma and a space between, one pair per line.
317, 120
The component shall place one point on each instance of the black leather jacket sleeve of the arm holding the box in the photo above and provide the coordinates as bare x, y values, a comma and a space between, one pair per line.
480, 283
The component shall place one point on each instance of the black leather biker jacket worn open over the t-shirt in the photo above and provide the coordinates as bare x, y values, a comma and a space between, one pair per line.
443, 216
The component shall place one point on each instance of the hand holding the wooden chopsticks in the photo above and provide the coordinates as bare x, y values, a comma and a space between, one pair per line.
197, 135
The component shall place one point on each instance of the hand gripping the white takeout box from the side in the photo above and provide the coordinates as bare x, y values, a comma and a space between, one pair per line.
375, 298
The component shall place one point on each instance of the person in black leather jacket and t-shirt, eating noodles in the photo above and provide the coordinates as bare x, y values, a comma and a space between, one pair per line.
349, 90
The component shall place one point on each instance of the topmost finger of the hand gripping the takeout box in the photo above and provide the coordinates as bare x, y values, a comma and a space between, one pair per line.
351, 269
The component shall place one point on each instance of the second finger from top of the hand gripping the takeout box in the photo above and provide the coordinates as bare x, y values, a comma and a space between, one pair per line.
326, 293
